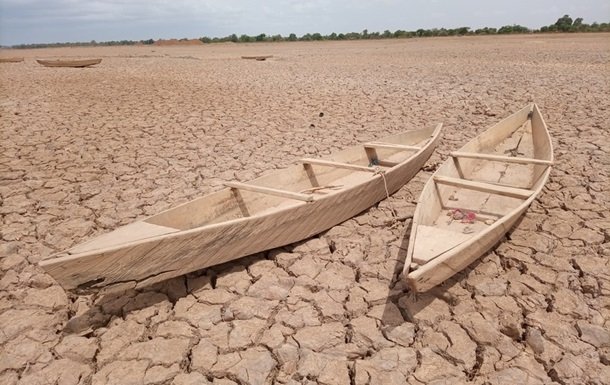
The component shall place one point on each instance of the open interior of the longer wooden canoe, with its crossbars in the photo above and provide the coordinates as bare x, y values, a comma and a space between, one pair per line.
295, 185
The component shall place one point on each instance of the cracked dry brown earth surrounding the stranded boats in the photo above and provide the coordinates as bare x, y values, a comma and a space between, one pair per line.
84, 151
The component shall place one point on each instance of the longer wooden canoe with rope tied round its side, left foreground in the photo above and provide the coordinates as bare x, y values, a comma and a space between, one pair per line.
280, 208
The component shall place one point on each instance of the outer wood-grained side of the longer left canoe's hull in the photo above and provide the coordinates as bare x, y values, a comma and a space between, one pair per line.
154, 259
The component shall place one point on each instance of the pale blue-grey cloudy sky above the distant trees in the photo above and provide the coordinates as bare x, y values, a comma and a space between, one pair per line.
47, 21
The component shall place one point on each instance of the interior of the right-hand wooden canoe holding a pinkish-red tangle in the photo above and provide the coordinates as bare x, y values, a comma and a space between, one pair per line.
487, 179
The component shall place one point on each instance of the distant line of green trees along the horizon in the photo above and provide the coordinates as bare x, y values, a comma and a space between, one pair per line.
563, 24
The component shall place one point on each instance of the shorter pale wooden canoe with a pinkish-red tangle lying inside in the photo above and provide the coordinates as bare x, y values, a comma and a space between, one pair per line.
476, 196
